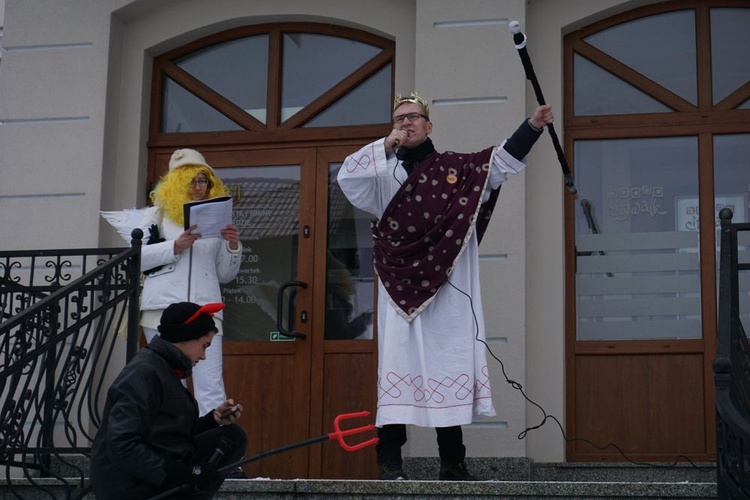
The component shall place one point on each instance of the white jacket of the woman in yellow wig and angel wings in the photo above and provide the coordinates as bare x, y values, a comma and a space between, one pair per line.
194, 275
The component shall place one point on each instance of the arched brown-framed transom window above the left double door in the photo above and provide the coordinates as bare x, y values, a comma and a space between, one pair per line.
274, 78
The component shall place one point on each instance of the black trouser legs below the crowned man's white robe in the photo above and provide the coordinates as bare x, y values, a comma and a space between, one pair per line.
392, 437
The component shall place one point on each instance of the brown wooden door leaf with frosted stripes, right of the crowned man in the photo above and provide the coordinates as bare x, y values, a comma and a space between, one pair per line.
639, 338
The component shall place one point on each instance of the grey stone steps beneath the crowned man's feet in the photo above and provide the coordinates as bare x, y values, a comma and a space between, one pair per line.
499, 478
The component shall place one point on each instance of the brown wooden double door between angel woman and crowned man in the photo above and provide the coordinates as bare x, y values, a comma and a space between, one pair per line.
290, 379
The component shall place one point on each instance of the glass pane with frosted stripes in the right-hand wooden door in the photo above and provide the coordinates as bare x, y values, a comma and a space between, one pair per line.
637, 240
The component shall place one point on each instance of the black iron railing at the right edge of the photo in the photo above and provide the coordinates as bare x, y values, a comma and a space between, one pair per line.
732, 370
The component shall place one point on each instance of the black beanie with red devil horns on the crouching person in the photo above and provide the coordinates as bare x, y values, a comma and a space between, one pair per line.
185, 321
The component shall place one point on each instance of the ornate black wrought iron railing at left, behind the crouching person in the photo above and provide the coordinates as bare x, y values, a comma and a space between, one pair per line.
64, 316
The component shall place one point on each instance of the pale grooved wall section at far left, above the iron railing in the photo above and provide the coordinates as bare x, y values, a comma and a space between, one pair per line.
52, 96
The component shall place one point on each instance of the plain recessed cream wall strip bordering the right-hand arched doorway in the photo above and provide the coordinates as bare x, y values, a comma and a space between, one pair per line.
548, 22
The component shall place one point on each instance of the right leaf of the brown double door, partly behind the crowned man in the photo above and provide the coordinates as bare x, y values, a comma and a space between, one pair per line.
344, 374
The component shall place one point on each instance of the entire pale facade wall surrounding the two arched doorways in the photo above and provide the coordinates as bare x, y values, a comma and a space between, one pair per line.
74, 90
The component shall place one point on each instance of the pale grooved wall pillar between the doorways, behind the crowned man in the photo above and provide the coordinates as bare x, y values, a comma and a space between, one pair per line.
462, 58
